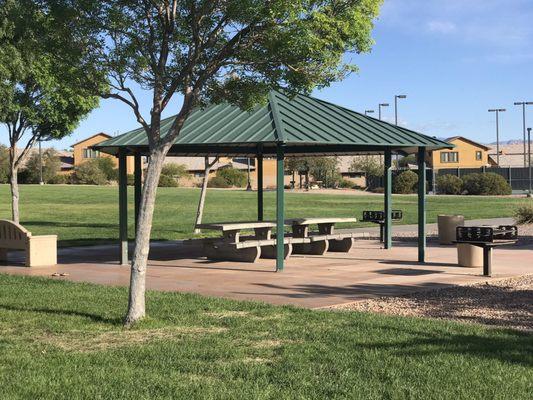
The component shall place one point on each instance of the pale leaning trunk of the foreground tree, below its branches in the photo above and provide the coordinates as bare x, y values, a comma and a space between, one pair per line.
136, 305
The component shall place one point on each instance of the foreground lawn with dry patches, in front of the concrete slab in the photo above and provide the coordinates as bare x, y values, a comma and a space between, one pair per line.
61, 340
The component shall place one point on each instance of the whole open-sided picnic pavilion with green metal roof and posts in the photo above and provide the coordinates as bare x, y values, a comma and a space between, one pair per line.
284, 126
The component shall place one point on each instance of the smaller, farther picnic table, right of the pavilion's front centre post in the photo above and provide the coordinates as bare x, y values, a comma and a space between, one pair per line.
325, 239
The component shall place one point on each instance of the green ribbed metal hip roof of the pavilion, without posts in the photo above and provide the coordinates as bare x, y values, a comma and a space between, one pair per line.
305, 125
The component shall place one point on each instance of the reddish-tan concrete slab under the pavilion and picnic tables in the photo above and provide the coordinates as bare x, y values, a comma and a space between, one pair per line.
308, 281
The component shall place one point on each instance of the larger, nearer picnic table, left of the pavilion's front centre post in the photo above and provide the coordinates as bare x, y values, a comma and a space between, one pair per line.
234, 246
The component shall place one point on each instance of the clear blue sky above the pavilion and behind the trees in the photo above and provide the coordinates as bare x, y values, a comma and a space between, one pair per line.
454, 59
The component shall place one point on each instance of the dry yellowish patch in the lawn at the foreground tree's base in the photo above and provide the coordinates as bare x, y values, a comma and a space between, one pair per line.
89, 342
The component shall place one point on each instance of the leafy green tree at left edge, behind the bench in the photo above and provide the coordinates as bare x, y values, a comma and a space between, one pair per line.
43, 64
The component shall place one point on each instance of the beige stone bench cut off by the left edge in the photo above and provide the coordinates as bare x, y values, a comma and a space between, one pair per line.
39, 250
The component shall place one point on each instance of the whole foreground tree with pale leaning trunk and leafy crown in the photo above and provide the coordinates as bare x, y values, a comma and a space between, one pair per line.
213, 51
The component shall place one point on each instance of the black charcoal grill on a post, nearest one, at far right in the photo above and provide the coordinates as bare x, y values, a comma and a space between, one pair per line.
487, 237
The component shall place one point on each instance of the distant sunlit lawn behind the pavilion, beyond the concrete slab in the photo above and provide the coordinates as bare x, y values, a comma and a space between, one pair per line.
85, 214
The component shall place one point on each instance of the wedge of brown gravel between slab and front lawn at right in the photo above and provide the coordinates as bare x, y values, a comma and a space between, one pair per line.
503, 303
